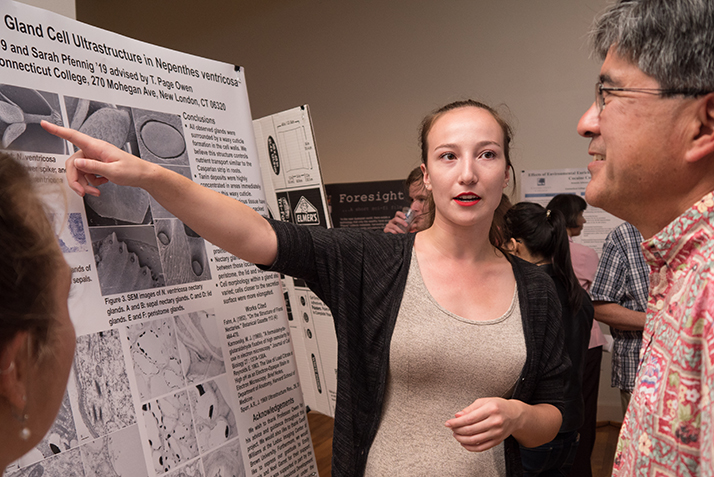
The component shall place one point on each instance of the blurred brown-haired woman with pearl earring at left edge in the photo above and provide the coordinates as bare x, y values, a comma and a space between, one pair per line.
36, 335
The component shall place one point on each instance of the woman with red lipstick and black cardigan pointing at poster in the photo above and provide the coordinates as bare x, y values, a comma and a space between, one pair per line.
416, 315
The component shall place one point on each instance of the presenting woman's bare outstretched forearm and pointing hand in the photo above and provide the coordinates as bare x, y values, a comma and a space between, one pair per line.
221, 220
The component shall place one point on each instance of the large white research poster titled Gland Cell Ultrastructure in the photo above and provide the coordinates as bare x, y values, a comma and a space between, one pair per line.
184, 363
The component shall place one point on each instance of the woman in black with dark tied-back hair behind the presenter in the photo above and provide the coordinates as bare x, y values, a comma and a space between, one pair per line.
538, 235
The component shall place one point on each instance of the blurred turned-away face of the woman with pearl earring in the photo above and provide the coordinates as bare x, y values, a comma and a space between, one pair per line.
48, 379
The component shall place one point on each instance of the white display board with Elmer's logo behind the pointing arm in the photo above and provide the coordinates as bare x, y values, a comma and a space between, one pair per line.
295, 193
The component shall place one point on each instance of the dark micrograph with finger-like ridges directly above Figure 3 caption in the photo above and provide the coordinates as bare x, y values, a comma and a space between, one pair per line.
127, 259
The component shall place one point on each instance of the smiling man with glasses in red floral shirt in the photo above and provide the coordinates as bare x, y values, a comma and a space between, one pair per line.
651, 131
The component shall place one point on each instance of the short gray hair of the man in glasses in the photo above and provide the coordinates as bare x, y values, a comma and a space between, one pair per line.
670, 40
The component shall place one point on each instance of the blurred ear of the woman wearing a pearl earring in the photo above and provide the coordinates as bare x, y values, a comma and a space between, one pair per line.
14, 366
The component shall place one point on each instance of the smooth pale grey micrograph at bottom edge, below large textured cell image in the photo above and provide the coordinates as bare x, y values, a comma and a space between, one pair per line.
118, 454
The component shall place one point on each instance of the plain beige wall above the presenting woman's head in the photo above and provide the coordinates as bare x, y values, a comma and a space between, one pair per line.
371, 69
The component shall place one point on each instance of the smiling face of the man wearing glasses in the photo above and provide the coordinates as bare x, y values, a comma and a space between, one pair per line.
636, 142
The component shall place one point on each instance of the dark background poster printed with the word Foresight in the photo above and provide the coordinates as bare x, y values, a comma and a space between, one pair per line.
367, 205
